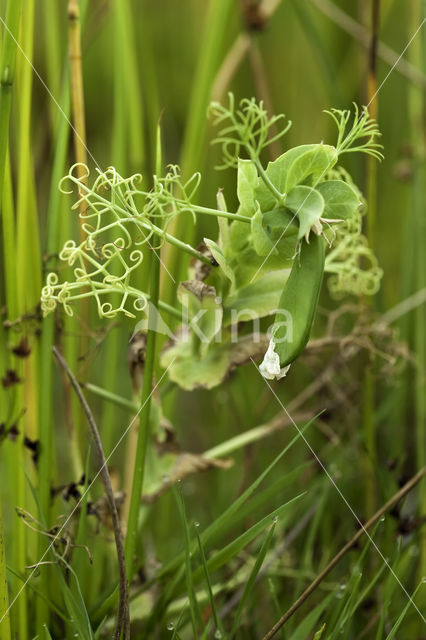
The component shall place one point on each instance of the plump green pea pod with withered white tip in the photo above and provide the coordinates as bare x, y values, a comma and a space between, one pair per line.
297, 307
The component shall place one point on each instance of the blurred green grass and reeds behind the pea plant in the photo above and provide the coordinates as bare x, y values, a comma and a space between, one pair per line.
145, 60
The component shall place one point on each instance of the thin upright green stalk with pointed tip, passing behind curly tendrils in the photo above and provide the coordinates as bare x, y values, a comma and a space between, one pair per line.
144, 420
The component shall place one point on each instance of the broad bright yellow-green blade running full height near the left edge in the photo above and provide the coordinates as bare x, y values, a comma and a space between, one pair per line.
26, 296
